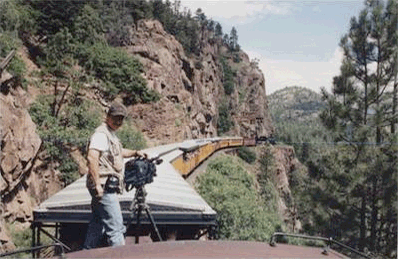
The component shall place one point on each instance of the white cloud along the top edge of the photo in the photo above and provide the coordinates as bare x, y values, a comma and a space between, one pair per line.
238, 11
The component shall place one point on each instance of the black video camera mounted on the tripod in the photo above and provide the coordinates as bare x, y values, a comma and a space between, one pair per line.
140, 171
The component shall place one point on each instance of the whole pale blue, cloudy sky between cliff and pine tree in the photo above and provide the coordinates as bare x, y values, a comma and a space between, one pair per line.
295, 41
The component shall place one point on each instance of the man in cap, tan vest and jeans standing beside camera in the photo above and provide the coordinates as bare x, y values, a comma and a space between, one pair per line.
105, 180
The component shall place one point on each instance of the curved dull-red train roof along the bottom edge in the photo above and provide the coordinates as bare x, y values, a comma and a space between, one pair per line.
207, 249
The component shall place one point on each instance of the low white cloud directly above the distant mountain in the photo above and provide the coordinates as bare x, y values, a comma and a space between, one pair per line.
314, 75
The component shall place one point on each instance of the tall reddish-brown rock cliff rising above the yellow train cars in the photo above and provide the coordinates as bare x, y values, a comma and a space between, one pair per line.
192, 89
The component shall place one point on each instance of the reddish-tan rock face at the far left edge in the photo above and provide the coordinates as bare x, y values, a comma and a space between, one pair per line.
23, 182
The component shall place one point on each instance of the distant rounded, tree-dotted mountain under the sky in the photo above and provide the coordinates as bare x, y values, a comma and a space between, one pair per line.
296, 104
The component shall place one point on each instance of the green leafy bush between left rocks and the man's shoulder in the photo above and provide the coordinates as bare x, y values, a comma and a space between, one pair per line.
71, 128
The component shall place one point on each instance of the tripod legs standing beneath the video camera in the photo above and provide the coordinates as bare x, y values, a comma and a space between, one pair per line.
136, 207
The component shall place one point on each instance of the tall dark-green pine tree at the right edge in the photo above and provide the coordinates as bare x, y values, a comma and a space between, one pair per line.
359, 111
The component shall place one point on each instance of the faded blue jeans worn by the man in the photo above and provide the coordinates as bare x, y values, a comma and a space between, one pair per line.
106, 219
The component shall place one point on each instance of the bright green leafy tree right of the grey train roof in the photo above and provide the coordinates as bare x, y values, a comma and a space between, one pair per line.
242, 212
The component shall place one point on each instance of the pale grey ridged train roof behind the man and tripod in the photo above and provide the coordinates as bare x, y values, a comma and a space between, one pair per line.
170, 198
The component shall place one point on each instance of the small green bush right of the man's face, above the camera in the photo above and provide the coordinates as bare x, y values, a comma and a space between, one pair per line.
130, 137
